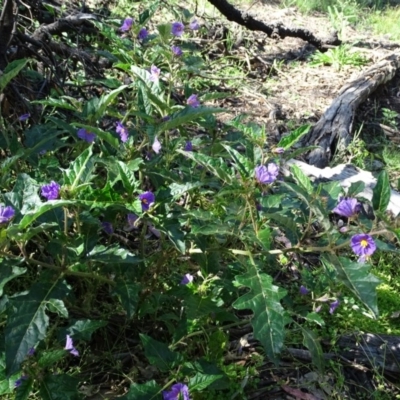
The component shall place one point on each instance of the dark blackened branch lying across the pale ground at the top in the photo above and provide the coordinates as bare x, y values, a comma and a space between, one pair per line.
246, 20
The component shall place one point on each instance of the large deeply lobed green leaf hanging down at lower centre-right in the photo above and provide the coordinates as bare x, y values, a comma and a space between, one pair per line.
264, 300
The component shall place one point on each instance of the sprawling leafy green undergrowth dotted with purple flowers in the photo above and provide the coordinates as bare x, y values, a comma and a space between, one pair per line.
142, 239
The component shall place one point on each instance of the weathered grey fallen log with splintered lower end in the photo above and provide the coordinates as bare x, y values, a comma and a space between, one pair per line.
333, 130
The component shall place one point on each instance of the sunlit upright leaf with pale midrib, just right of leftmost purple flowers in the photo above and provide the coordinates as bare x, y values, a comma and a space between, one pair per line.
80, 171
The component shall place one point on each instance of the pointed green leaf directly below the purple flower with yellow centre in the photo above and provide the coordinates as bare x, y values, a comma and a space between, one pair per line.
357, 279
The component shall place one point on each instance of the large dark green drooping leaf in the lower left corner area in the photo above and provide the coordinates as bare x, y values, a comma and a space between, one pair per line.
27, 322
